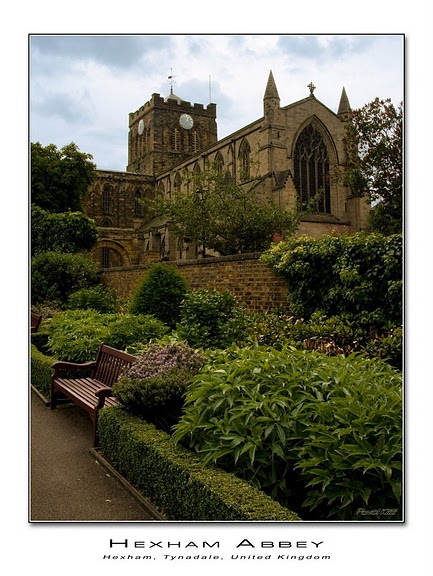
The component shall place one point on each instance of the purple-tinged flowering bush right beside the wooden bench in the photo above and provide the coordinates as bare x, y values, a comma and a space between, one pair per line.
154, 386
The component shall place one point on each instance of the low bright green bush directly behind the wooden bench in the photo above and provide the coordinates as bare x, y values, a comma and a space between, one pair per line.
75, 335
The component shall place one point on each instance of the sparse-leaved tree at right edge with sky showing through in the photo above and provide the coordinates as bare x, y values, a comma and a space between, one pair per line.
375, 161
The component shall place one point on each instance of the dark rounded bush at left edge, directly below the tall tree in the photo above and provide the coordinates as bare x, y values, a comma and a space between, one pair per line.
66, 232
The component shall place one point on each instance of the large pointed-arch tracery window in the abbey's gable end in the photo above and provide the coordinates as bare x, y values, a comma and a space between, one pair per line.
311, 171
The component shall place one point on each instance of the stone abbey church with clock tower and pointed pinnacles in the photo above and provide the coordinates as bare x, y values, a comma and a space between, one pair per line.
296, 147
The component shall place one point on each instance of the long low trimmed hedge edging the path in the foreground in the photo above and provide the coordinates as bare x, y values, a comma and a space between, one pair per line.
174, 479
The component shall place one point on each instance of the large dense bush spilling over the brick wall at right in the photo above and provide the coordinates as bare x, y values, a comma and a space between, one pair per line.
349, 273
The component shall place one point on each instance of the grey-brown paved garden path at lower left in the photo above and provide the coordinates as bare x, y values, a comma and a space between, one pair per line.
67, 483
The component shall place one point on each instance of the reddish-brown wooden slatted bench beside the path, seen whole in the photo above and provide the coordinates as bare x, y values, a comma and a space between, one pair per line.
94, 392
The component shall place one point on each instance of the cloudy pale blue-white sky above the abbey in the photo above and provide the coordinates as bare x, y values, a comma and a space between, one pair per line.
83, 87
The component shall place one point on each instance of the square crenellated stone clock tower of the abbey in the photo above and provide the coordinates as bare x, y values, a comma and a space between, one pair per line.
167, 131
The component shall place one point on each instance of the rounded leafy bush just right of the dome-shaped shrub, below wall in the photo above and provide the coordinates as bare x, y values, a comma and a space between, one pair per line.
211, 319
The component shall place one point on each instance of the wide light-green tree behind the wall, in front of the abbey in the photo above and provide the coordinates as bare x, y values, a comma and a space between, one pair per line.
223, 216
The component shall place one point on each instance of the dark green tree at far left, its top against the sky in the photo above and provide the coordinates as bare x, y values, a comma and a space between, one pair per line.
60, 178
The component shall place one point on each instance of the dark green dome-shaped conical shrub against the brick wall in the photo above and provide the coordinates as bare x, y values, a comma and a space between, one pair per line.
160, 294
